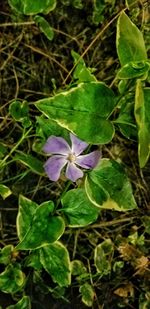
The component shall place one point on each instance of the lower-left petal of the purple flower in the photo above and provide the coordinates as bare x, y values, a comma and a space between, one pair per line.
54, 165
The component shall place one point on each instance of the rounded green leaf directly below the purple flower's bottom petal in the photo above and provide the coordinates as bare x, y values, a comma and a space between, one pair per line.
78, 209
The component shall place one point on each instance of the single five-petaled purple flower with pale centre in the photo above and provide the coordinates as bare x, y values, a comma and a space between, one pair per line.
64, 155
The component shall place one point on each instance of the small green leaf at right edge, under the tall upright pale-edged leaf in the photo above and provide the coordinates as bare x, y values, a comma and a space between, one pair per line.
133, 70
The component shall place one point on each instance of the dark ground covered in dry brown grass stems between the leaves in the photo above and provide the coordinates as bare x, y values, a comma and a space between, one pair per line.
31, 68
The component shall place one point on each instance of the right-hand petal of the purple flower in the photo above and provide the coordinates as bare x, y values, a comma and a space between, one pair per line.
90, 160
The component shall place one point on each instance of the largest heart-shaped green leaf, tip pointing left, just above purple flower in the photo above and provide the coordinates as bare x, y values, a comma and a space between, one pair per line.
79, 108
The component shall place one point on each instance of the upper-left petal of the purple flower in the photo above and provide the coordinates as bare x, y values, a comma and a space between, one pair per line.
56, 145
